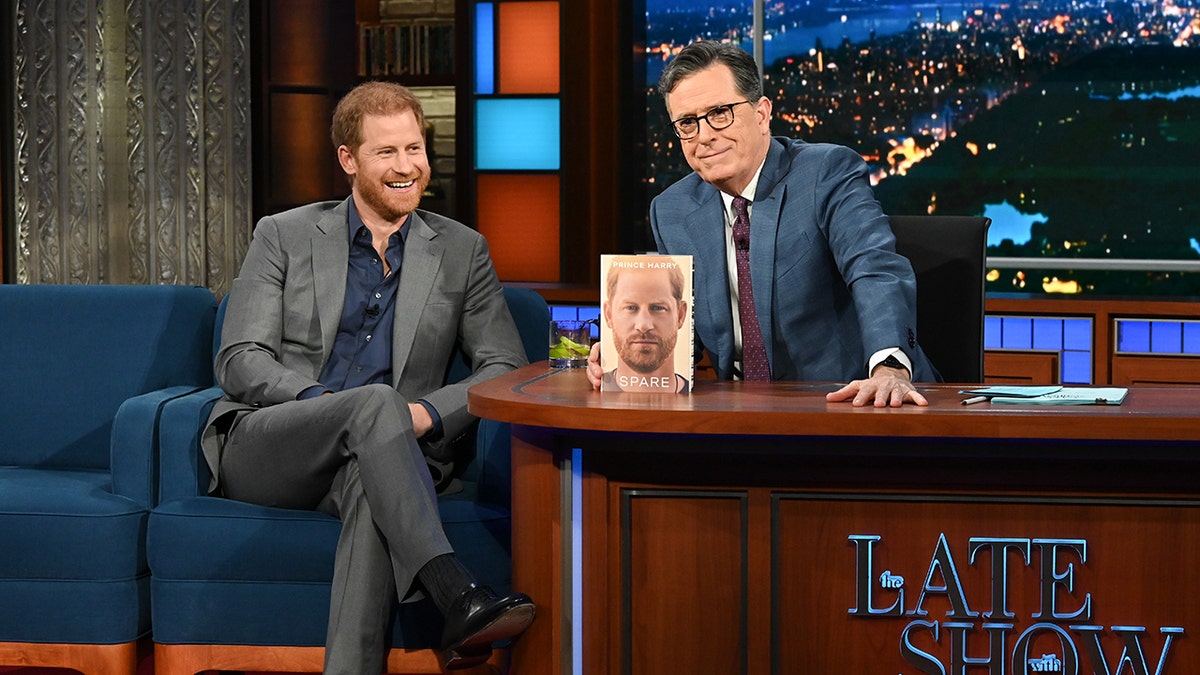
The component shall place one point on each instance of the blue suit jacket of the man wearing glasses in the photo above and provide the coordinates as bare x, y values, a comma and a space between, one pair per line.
829, 286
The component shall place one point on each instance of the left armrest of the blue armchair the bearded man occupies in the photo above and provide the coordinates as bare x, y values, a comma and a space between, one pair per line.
183, 471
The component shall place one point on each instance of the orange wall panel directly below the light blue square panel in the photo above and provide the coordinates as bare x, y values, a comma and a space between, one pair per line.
519, 214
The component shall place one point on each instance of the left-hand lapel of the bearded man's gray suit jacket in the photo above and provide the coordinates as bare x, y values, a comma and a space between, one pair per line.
331, 259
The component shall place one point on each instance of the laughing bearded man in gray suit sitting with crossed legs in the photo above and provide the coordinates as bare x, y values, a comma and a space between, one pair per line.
339, 332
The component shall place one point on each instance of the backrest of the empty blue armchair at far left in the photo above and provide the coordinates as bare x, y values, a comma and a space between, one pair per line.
73, 355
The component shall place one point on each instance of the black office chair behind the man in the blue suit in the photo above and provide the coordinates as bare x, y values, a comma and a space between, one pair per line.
949, 254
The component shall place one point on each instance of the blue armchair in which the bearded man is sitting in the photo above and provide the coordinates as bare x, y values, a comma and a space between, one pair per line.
239, 587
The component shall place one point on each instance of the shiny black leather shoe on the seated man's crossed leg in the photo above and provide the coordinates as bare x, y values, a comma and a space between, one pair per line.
477, 620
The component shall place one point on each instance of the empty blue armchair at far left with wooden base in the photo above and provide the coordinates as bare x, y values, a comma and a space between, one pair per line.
86, 373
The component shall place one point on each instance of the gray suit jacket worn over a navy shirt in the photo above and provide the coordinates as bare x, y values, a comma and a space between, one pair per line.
287, 302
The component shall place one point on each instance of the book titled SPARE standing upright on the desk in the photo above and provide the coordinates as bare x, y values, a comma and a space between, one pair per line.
645, 309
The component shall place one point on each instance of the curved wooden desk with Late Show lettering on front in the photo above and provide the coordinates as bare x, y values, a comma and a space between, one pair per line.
754, 528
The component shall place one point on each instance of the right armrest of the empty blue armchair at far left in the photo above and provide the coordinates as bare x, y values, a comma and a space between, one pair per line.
133, 456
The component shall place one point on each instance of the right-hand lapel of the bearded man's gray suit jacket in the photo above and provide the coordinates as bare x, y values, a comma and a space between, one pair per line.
418, 273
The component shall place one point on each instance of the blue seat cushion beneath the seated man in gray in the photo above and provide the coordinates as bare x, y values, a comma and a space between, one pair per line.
225, 572
